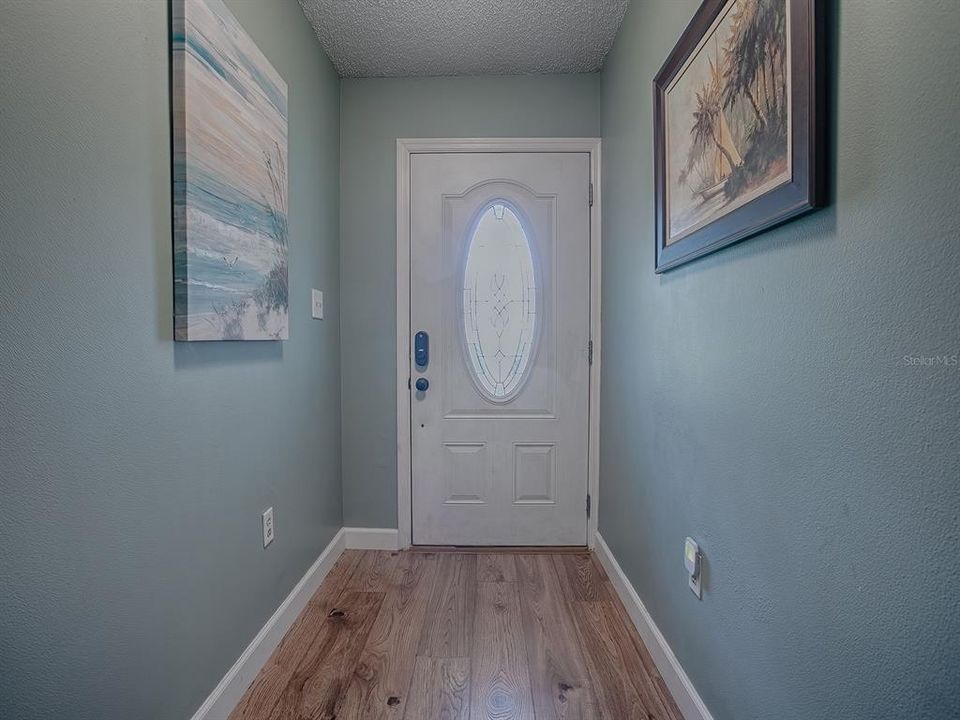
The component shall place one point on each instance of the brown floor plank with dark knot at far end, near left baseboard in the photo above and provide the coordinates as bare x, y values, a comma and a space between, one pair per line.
319, 681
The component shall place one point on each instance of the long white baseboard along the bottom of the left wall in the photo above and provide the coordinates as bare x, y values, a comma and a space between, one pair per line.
227, 694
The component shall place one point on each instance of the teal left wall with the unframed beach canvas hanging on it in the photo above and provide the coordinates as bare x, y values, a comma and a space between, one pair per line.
132, 470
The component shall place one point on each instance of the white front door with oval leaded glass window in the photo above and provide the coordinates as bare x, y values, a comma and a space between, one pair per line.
500, 294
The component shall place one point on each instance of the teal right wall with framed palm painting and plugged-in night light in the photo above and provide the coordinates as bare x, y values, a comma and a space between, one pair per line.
764, 400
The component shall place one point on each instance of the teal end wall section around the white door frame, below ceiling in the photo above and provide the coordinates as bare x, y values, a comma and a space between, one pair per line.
374, 113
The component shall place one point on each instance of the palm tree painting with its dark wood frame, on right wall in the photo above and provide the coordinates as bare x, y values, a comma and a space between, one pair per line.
739, 125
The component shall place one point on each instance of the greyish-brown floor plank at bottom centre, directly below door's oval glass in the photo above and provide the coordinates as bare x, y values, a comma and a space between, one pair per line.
499, 676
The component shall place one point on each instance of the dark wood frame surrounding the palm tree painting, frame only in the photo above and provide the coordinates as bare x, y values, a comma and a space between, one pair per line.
806, 189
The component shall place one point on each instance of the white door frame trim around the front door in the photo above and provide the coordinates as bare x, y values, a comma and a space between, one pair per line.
407, 147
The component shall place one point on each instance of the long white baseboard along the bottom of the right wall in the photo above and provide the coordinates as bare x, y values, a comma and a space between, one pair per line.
688, 700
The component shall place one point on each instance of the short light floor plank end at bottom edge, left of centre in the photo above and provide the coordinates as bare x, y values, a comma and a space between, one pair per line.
440, 690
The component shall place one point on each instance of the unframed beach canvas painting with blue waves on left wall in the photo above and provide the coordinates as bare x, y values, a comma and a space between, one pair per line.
230, 180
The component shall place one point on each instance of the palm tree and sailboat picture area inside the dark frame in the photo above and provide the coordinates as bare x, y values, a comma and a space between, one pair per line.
728, 116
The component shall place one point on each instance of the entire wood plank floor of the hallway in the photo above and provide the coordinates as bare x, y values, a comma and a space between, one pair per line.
447, 635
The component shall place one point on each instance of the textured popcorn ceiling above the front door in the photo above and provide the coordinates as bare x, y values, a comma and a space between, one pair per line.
369, 38
